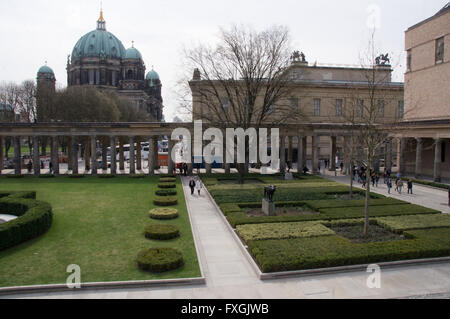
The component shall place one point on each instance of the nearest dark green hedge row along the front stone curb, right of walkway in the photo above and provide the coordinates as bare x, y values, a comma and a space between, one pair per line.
333, 251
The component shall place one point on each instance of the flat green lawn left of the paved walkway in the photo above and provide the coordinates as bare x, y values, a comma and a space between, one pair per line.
99, 225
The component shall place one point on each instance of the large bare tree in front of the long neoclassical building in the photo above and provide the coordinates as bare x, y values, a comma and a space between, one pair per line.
242, 82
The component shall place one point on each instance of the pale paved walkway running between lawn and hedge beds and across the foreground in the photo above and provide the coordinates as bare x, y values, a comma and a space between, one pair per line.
229, 274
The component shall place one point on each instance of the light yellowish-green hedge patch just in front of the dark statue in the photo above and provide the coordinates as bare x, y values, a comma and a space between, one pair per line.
282, 231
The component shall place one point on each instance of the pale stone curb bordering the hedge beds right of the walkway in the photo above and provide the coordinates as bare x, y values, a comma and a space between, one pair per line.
320, 271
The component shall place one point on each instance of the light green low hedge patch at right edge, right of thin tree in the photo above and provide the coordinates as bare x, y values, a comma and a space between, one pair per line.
399, 224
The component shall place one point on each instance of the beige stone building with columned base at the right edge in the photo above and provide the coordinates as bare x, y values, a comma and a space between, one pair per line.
425, 132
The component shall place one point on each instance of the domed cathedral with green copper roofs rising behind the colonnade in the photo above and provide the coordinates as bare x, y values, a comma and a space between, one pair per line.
99, 59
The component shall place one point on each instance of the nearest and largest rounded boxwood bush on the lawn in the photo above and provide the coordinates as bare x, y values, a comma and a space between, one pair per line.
159, 259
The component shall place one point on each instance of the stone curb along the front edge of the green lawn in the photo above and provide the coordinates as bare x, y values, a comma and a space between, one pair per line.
101, 285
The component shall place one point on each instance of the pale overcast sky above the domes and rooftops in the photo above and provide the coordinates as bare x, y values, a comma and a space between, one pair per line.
33, 32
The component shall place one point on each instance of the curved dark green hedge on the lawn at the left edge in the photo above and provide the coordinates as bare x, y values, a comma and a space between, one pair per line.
34, 218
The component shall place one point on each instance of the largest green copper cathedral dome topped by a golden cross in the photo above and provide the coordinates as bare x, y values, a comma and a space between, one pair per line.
99, 43
